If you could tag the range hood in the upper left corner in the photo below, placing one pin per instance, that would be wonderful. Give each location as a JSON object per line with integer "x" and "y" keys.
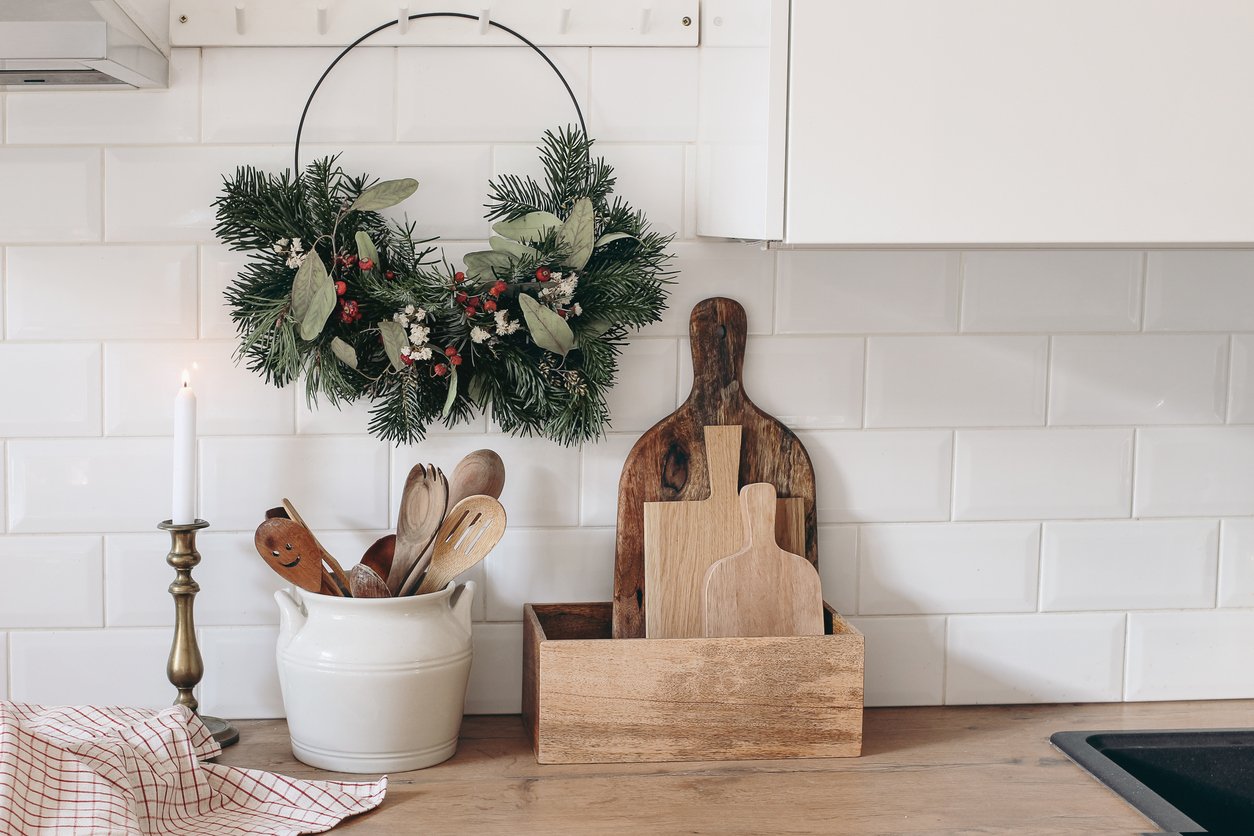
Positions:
{"x": 76, "y": 44}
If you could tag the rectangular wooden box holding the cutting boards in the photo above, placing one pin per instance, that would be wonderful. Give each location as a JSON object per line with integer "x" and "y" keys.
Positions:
{"x": 590, "y": 699}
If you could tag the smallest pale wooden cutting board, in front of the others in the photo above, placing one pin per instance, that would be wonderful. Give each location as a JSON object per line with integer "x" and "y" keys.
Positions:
{"x": 762, "y": 590}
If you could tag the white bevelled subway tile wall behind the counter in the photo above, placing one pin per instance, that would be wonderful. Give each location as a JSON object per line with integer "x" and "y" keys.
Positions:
{"x": 989, "y": 428}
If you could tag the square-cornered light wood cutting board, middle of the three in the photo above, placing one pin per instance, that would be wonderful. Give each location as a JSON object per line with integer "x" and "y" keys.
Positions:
{"x": 684, "y": 540}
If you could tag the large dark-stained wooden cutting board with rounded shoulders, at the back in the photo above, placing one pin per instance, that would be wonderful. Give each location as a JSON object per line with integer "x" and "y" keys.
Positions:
{"x": 669, "y": 462}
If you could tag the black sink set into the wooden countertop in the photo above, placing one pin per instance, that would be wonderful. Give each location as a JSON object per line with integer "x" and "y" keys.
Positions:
{"x": 1189, "y": 781}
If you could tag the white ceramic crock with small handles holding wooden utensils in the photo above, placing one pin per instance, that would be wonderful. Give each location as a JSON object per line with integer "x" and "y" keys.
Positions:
{"x": 374, "y": 685}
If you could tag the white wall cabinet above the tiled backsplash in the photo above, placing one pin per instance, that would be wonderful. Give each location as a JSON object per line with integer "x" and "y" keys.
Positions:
{"x": 979, "y": 122}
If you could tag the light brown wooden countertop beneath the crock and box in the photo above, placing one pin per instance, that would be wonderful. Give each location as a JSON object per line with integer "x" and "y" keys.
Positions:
{"x": 971, "y": 770}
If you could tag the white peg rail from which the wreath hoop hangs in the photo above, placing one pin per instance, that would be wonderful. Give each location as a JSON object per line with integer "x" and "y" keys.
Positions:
{"x": 332, "y": 23}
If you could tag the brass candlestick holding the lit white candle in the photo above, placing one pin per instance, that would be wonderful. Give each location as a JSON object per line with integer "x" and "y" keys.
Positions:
{"x": 186, "y": 667}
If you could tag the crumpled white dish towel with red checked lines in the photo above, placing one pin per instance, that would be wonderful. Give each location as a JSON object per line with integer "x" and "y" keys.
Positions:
{"x": 130, "y": 771}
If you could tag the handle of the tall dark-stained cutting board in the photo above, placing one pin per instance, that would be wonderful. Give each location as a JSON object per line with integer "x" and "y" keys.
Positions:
{"x": 718, "y": 328}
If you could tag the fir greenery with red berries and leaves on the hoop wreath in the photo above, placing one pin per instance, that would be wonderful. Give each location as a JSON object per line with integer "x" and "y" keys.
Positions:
{"x": 358, "y": 308}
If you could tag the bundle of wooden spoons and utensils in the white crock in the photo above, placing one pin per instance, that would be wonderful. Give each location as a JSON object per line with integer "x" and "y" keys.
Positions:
{"x": 432, "y": 546}
